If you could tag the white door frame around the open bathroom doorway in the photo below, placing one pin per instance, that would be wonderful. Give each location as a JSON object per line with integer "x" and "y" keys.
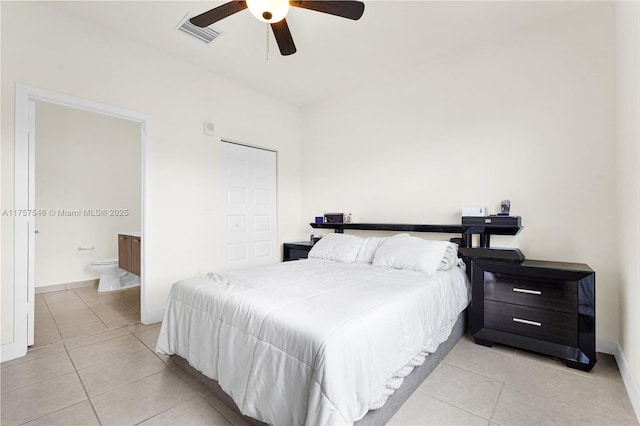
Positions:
{"x": 24, "y": 225}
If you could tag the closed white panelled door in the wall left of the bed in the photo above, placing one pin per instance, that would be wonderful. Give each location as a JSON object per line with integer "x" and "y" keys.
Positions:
{"x": 248, "y": 206}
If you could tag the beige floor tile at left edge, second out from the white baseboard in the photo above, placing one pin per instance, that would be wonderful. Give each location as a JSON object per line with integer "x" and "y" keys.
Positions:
{"x": 32, "y": 402}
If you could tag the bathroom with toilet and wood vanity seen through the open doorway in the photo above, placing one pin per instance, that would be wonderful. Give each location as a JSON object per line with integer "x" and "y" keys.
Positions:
{"x": 88, "y": 183}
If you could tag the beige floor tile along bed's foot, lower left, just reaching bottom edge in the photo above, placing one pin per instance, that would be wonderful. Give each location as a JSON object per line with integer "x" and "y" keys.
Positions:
{"x": 141, "y": 400}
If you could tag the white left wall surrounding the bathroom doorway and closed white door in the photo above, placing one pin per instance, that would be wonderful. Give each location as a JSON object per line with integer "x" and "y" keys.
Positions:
{"x": 42, "y": 47}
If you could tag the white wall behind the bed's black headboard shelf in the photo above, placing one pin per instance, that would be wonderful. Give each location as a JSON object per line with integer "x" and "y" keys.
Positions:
{"x": 528, "y": 117}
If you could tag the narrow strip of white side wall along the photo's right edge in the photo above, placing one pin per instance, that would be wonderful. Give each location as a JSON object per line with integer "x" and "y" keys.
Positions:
{"x": 628, "y": 262}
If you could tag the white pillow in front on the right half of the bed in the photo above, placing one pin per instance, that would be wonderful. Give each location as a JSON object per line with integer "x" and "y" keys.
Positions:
{"x": 415, "y": 254}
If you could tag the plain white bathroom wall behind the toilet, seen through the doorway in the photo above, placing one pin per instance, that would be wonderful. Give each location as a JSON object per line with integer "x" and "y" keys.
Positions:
{"x": 85, "y": 162}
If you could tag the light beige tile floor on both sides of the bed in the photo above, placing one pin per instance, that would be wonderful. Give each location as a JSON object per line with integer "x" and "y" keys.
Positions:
{"x": 111, "y": 375}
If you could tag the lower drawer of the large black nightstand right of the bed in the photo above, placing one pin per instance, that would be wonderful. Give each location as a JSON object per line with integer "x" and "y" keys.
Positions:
{"x": 551, "y": 326}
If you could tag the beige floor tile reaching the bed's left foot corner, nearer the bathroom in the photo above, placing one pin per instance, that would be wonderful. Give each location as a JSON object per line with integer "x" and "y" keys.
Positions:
{"x": 119, "y": 371}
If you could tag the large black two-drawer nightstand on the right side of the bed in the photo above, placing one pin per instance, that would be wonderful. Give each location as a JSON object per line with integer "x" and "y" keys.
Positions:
{"x": 540, "y": 306}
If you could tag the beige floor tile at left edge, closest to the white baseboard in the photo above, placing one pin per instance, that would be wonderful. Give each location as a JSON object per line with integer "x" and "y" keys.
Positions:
{"x": 35, "y": 371}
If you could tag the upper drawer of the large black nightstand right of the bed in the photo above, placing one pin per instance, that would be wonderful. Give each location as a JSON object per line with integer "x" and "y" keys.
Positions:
{"x": 541, "y": 293}
